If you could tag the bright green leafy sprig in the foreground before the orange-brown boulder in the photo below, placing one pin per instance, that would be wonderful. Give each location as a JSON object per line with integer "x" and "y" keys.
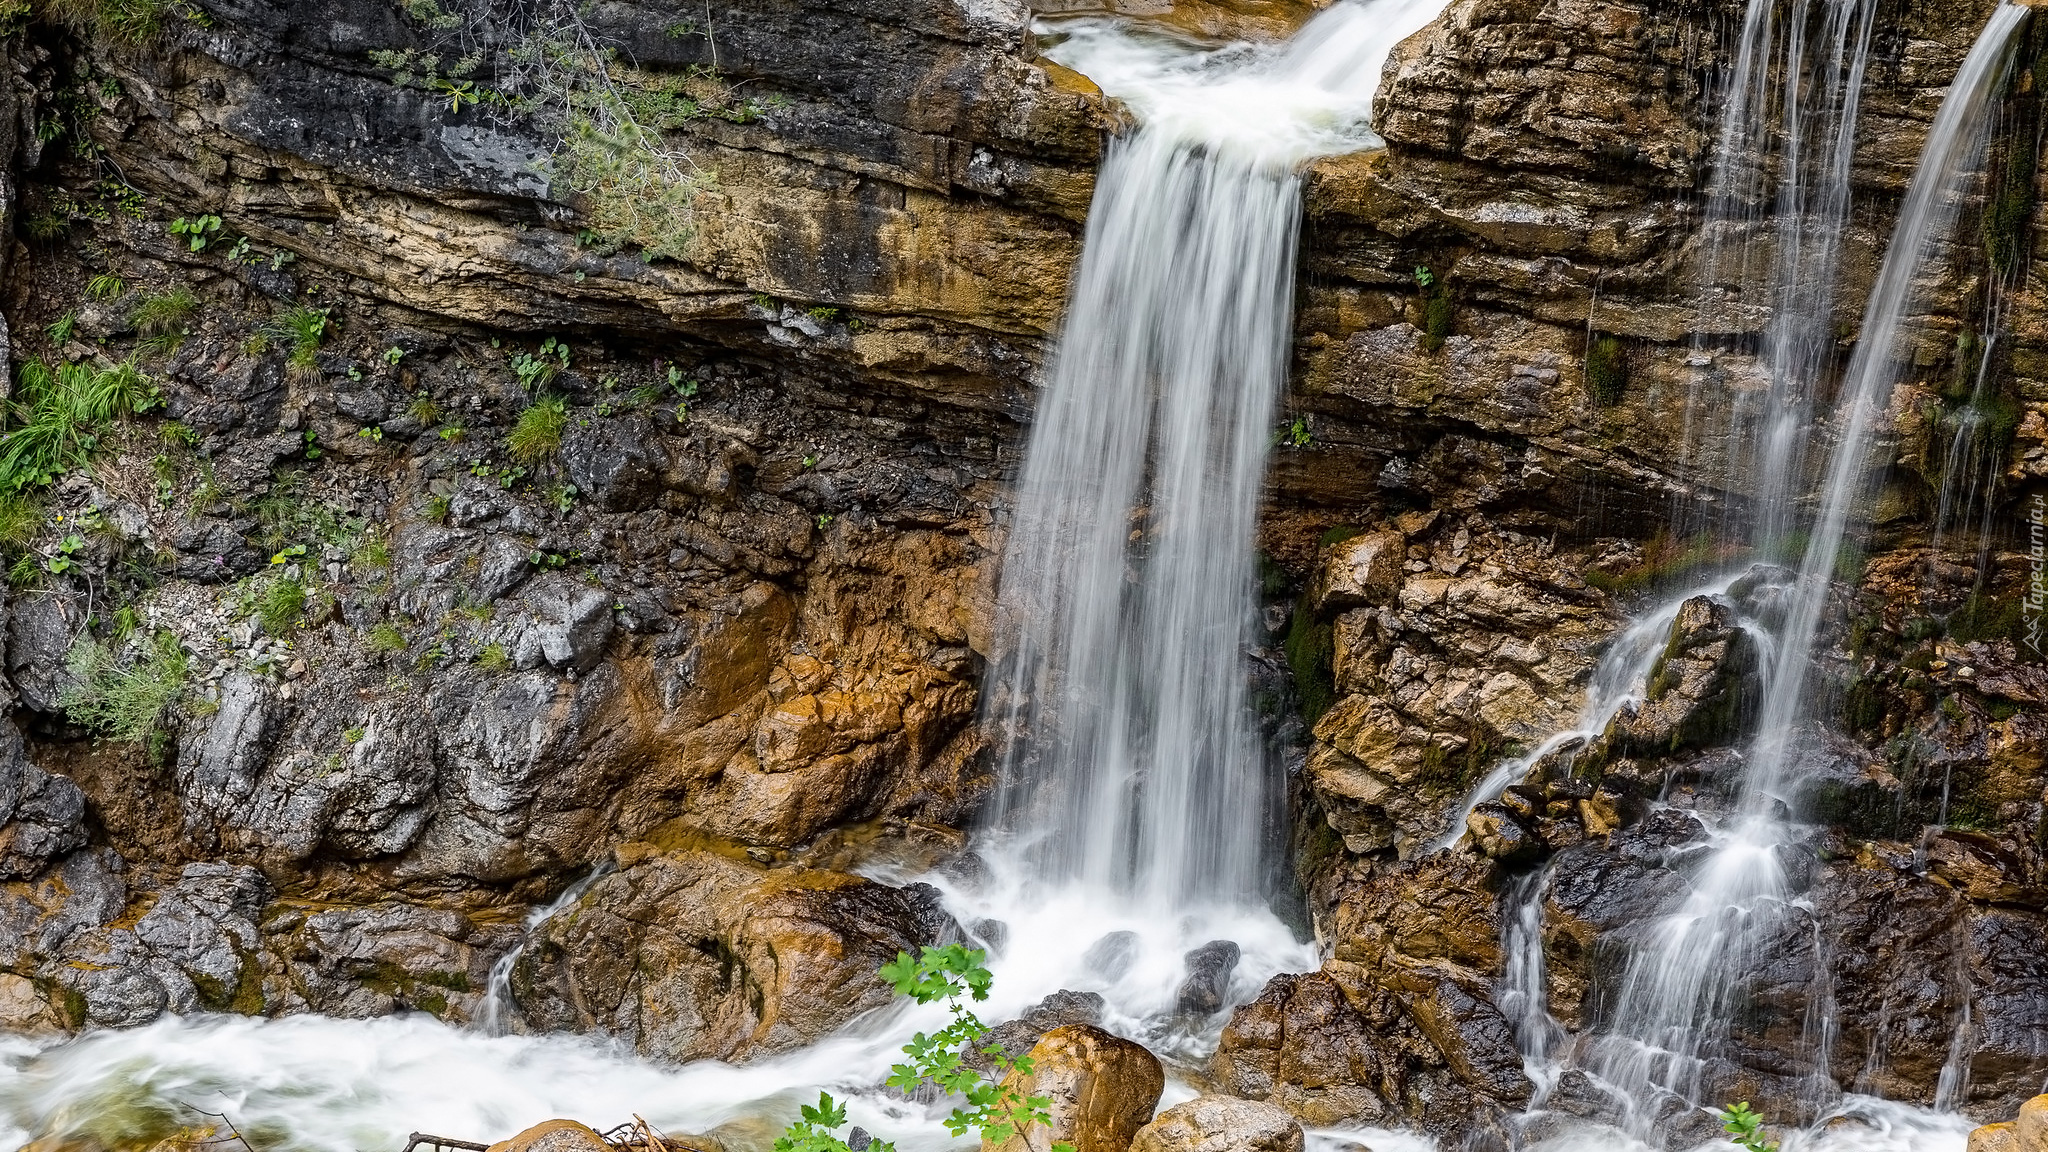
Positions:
{"x": 994, "y": 1110}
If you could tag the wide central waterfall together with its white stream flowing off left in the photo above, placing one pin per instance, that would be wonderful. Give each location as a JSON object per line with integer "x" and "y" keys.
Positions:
{"x": 1129, "y": 589}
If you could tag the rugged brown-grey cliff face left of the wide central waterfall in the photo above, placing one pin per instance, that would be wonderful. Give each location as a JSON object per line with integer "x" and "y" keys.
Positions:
{"x": 411, "y": 675}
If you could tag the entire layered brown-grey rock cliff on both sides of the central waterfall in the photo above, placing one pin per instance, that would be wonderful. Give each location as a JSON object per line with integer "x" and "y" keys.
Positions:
{"x": 435, "y": 649}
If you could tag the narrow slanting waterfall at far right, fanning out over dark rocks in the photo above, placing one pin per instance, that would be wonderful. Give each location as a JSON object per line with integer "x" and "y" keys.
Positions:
{"x": 1676, "y": 997}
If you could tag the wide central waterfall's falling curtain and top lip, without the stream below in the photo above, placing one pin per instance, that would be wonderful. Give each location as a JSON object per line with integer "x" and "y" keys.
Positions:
{"x": 1132, "y": 755}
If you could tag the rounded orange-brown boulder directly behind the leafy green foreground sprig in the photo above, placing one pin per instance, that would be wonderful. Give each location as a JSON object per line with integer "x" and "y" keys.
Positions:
{"x": 1103, "y": 1089}
